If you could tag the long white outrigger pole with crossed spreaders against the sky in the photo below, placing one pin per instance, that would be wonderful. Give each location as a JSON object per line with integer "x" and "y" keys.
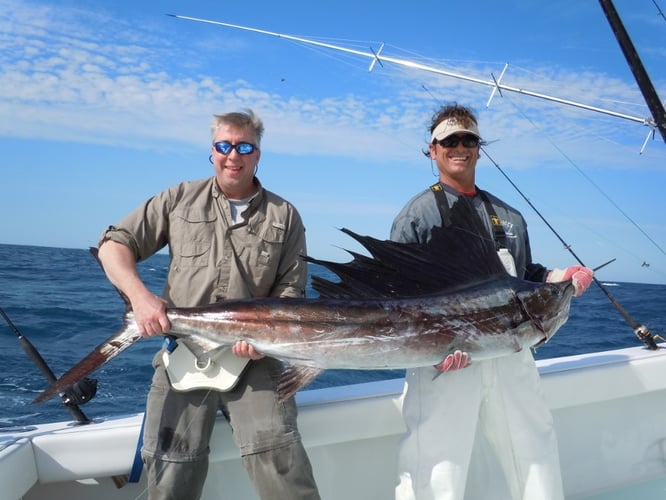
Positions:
{"x": 378, "y": 57}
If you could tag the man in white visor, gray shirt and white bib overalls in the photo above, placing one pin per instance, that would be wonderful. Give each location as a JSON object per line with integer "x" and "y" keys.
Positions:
{"x": 500, "y": 397}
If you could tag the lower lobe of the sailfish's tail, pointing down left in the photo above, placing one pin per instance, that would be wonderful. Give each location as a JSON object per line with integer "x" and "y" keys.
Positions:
{"x": 103, "y": 353}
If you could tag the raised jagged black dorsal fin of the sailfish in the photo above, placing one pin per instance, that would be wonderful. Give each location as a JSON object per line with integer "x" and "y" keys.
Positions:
{"x": 455, "y": 255}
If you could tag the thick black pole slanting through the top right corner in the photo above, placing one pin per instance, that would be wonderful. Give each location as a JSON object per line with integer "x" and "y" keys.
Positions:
{"x": 640, "y": 74}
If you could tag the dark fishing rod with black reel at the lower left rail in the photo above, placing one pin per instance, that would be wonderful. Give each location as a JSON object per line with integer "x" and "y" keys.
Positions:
{"x": 75, "y": 395}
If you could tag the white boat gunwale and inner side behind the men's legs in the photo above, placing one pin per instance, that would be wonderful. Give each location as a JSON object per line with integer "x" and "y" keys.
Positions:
{"x": 609, "y": 409}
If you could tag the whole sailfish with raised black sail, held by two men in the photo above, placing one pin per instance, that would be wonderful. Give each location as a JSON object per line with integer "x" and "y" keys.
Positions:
{"x": 403, "y": 306}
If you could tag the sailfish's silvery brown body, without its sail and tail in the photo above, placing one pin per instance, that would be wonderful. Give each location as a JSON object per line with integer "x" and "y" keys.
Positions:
{"x": 486, "y": 319}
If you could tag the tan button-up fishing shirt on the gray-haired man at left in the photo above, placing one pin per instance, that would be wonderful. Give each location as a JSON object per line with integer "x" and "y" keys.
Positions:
{"x": 212, "y": 258}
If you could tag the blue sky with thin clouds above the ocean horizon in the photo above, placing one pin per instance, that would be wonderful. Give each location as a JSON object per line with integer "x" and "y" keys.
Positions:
{"x": 103, "y": 104}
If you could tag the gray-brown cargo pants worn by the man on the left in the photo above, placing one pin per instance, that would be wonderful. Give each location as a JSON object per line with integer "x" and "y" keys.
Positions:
{"x": 179, "y": 425}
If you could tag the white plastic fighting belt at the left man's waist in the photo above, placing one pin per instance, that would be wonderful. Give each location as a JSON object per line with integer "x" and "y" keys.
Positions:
{"x": 219, "y": 369}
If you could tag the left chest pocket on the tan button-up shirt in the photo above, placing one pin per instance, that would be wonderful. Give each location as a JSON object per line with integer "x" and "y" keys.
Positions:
{"x": 191, "y": 237}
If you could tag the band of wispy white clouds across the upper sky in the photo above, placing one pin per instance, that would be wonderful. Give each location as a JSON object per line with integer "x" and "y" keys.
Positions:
{"x": 78, "y": 75}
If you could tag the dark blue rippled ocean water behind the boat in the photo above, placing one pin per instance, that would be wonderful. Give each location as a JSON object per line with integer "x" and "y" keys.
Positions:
{"x": 60, "y": 300}
